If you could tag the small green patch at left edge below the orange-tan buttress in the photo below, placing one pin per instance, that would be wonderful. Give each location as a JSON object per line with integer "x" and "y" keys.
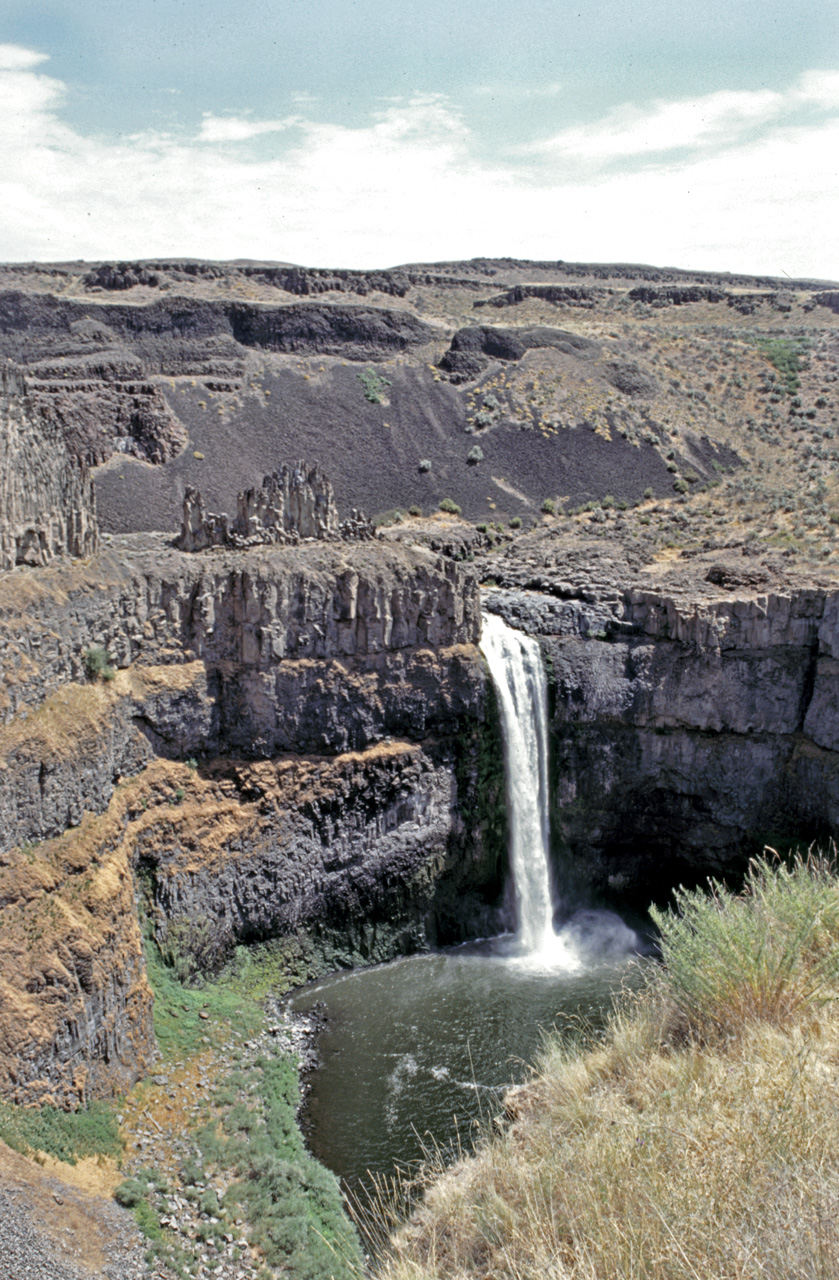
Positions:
{"x": 69, "y": 1136}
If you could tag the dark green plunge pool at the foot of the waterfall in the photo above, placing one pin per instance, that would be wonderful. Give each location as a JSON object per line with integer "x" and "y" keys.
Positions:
{"x": 416, "y": 1053}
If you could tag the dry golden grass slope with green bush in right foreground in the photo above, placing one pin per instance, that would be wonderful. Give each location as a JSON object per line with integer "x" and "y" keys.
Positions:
{"x": 697, "y": 1139}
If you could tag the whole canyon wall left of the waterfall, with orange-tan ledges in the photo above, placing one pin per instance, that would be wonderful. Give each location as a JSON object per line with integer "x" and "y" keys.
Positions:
{"x": 286, "y": 742}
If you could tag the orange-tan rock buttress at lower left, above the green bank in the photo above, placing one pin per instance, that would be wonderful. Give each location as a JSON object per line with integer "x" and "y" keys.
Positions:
{"x": 75, "y": 1003}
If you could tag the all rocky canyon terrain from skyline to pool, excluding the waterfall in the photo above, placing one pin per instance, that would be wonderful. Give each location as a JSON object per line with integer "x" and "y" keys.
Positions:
{"x": 280, "y": 725}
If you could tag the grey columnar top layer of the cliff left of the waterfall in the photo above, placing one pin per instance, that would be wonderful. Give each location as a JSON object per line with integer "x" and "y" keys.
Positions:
{"x": 240, "y": 614}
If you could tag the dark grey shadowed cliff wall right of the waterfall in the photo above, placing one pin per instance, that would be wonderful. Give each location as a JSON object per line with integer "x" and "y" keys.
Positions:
{"x": 685, "y": 733}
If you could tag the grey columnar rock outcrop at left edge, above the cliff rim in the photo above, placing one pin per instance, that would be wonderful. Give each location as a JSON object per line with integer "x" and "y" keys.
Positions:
{"x": 47, "y": 493}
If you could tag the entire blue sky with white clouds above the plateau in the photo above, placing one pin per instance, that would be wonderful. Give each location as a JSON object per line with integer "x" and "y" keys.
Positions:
{"x": 366, "y": 134}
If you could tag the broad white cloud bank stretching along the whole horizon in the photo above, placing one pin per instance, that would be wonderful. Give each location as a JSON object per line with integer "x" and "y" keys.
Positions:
{"x": 751, "y": 186}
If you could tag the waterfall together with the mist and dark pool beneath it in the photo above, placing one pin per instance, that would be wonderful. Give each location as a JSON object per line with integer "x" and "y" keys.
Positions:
{"x": 417, "y": 1054}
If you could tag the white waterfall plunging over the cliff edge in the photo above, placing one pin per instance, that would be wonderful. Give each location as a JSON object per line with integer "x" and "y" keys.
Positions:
{"x": 518, "y": 675}
